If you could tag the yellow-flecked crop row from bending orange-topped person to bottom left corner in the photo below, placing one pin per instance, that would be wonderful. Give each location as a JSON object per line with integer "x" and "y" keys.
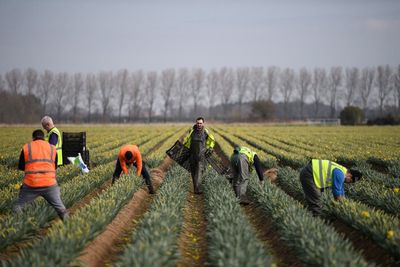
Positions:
{"x": 65, "y": 241}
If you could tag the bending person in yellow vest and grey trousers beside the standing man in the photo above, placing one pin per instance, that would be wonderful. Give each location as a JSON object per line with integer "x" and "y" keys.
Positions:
{"x": 242, "y": 162}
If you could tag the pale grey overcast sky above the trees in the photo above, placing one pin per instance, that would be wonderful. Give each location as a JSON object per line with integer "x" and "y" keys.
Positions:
{"x": 89, "y": 36}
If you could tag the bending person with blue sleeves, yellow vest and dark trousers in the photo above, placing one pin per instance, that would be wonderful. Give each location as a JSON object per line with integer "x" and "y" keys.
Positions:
{"x": 318, "y": 175}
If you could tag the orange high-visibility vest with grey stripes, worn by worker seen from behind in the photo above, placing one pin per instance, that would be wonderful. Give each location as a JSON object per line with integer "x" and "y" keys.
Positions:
{"x": 40, "y": 170}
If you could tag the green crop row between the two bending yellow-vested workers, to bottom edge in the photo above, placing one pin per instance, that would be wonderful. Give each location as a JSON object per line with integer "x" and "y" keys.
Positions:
{"x": 313, "y": 241}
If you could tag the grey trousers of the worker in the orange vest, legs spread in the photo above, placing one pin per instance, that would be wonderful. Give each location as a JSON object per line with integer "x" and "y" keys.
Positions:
{"x": 50, "y": 193}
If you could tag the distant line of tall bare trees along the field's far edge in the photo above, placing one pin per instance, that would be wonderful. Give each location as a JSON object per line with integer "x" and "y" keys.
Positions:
{"x": 226, "y": 94}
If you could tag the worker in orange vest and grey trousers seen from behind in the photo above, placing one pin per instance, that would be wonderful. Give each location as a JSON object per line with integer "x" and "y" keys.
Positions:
{"x": 38, "y": 160}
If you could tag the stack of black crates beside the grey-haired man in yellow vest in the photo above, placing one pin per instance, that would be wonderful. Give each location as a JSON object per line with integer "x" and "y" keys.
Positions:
{"x": 74, "y": 143}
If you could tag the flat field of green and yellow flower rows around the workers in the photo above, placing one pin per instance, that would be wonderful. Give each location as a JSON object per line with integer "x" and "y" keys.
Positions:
{"x": 123, "y": 225}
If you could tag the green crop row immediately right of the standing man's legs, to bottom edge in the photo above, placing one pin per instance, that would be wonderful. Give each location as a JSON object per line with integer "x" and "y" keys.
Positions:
{"x": 231, "y": 239}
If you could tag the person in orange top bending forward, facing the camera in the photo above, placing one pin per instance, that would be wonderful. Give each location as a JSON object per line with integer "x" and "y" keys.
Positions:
{"x": 130, "y": 155}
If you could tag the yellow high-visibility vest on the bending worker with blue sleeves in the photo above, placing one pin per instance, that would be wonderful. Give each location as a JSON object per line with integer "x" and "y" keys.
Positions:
{"x": 322, "y": 172}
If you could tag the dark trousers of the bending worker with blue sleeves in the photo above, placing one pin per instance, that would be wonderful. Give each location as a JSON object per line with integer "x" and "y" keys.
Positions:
{"x": 311, "y": 192}
